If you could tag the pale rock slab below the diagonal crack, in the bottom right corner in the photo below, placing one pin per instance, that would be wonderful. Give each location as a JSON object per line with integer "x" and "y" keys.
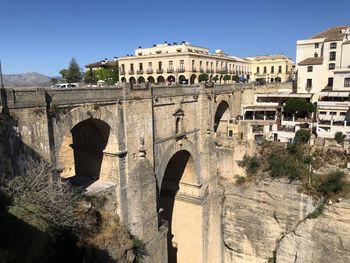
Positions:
{"x": 324, "y": 239}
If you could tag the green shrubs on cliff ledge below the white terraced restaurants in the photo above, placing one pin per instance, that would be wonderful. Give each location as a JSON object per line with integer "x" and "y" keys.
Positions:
{"x": 296, "y": 161}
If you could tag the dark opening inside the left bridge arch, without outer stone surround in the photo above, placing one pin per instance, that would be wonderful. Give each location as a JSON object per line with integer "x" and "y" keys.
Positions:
{"x": 81, "y": 152}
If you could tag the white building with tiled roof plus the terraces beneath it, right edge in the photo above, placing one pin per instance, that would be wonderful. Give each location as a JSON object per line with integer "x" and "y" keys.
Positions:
{"x": 323, "y": 65}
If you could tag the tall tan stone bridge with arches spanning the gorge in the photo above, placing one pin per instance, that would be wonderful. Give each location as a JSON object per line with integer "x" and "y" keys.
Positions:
{"x": 155, "y": 146}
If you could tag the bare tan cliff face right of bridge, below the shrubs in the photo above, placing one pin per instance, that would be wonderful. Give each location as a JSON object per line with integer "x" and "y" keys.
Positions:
{"x": 266, "y": 222}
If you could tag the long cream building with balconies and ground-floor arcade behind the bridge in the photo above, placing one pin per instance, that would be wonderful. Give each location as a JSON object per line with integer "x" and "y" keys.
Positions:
{"x": 181, "y": 63}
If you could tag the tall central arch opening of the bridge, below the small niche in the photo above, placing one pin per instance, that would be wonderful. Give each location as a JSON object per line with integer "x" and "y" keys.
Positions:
{"x": 183, "y": 216}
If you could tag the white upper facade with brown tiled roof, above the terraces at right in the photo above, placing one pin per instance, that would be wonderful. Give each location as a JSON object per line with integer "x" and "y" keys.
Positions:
{"x": 323, "y": 61}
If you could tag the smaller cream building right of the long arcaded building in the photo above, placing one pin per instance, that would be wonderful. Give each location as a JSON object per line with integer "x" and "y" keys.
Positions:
{"x": 271, "y": 68}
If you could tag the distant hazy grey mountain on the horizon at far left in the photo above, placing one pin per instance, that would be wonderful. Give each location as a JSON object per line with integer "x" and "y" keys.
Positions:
{"x": 26, "y": 79}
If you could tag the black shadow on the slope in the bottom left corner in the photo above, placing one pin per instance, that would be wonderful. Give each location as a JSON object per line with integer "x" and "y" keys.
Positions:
{"x": 23, "y": 242}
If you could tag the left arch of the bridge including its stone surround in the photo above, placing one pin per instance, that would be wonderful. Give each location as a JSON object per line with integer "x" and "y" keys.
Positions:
{"x": 82, "y": 146}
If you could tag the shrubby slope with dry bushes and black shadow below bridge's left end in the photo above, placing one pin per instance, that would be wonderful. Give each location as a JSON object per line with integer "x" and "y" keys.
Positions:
{"x": 45, "y": 219}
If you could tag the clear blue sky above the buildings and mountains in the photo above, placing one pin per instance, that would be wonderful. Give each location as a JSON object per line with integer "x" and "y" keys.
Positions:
{"x": 43, "y": 35}
